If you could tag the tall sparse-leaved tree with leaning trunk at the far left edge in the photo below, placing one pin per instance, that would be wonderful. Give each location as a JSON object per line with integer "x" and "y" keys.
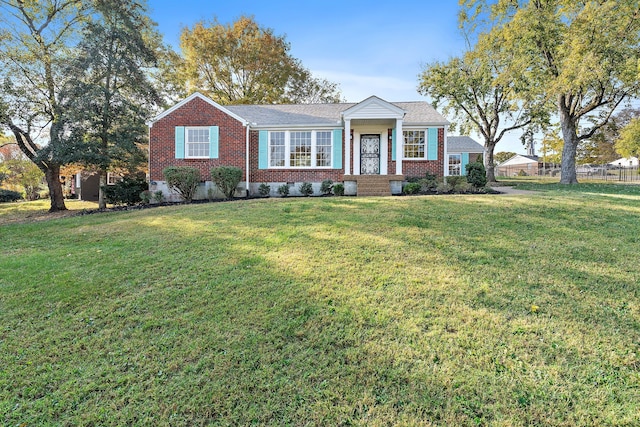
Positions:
{"x": 35, "y": 37}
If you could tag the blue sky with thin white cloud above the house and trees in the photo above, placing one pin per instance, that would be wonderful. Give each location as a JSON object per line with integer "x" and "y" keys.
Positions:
{"x": 367, "y": 48}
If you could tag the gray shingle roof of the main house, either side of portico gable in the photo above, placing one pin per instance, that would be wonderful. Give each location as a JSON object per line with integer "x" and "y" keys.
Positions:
{"x": 418, "y": 112}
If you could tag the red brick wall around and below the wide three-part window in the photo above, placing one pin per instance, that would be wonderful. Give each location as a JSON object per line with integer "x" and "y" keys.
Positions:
{"x": 288, "y": 175}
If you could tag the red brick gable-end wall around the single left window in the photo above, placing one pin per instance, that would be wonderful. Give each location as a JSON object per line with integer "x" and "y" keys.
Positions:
{"x": 196, "y": 113}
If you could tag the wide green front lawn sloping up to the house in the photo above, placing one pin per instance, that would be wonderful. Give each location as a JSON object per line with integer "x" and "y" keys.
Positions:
{"x": 430, "y": 310}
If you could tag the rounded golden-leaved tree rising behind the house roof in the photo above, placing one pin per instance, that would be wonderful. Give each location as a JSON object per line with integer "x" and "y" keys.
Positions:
{"x": 247, "y": 64}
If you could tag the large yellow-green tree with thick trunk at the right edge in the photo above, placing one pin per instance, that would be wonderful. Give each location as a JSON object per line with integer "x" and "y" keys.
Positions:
{"x": 583, "y": 56}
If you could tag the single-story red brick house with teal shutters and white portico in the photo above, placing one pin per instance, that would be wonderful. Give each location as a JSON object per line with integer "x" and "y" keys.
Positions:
{"x": 370, "y": 146}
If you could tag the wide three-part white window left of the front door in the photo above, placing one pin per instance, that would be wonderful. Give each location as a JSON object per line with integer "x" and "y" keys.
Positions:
{"x": 300, "y": 149}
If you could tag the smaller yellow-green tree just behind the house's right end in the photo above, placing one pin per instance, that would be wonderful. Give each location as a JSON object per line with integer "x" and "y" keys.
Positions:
{"x": 471, "y": 90}
